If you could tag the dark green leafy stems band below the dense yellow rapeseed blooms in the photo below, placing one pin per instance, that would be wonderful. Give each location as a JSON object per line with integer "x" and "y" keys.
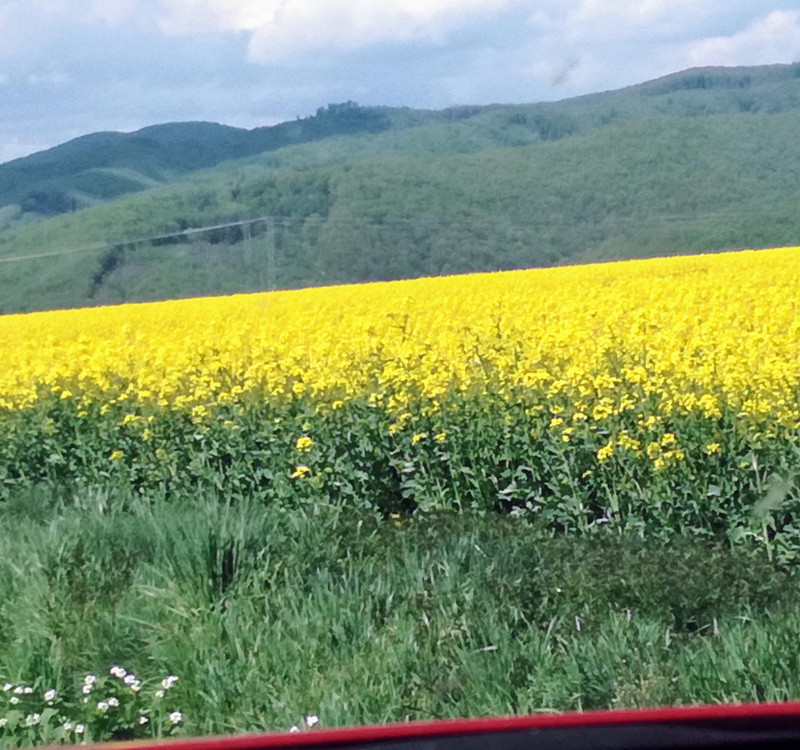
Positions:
{"x": 699, "y": 477}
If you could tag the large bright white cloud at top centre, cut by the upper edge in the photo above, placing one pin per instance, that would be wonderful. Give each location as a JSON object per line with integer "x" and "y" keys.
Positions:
{"x": 284, "y": 30}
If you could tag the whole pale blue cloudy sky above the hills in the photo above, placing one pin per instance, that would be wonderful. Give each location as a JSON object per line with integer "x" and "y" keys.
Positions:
{"x": 70, "y": 67}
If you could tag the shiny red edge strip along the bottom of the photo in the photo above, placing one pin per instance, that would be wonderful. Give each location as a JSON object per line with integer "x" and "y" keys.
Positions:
{"x": 346, "y": 735}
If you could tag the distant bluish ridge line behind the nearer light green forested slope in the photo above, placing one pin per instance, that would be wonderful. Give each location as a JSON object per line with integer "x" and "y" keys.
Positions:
{"x": 100, "y": 167}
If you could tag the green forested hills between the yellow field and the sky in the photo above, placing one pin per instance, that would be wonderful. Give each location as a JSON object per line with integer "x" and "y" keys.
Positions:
{"x": 703, "y": 160}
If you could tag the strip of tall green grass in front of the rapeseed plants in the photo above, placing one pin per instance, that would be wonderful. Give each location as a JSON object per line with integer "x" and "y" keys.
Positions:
{"x": 267, "y": 615}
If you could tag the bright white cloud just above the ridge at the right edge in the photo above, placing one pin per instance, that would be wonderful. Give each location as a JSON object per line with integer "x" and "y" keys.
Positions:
{"x": 774, "y": 38}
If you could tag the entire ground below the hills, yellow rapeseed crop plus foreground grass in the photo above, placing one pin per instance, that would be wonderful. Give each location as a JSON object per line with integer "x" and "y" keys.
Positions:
{"x": 498, "y": 493}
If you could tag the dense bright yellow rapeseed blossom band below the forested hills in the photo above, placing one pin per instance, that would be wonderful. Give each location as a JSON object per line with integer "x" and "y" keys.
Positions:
{"x": 686, "y": 333}
